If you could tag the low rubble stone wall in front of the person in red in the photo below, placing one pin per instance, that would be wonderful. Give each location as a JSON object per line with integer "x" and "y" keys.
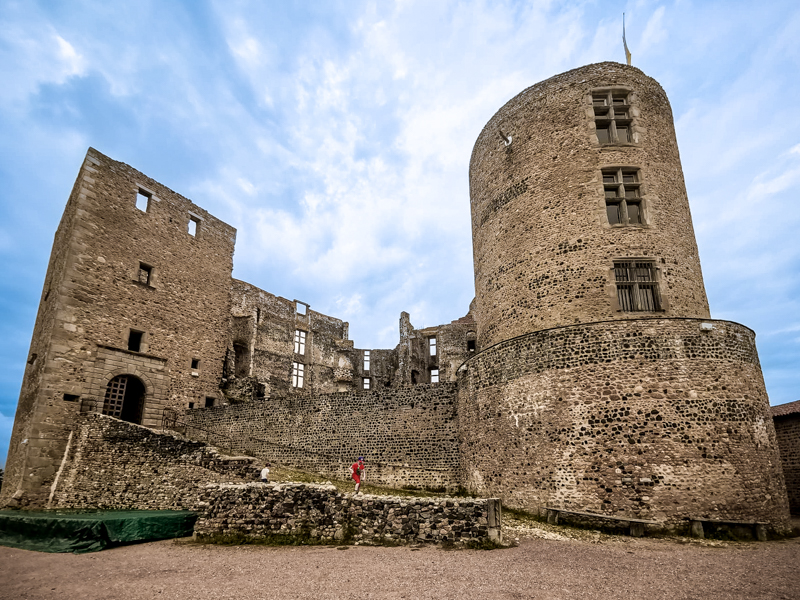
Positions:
{"x": 305, "y": 513}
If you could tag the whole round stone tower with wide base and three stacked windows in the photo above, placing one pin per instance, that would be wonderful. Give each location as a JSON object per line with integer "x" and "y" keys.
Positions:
{"x": 601, "y": 383}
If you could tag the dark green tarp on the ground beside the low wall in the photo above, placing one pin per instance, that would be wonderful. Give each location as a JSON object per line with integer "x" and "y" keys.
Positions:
{"x": 90, "y": 531}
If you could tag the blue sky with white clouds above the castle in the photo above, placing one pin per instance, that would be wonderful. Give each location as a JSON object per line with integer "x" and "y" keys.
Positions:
{"x": 336, "y": 136}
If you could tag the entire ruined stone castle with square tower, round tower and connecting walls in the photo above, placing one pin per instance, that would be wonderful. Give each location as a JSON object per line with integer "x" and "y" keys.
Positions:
{"x": 587, "y": 373}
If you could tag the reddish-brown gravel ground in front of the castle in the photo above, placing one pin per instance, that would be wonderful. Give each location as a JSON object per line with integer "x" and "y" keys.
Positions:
{"x": 549, "y": 562}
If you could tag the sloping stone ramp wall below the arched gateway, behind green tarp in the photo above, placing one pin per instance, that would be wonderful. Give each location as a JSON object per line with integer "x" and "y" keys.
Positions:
{"x": 113, "y": 464}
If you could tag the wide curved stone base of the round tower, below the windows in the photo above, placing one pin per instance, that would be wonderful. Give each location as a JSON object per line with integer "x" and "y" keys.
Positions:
{"x": 650, "y": 418}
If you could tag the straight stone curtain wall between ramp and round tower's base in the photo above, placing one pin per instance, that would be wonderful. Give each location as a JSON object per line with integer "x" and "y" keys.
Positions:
{"x": 408, "y": 435}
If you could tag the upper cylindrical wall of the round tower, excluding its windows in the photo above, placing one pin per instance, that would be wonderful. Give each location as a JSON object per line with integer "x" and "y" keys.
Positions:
{"x": 543, "y": 247}
